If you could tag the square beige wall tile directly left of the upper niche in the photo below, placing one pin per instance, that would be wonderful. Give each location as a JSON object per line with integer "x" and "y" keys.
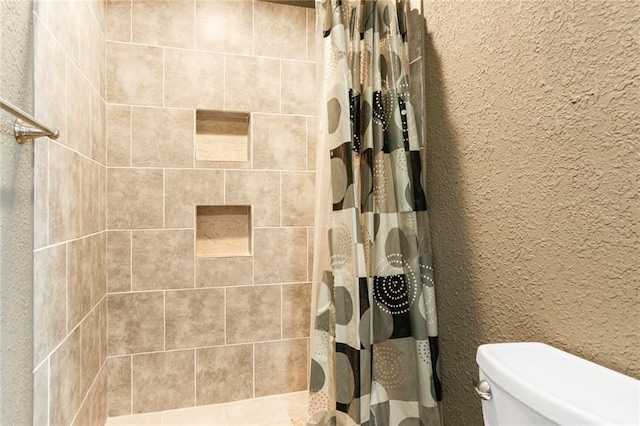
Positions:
{"x": 162, "y": 137}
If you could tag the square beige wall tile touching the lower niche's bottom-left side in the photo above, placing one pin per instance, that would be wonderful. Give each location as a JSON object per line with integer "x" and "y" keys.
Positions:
{"x": 162, "y": 260}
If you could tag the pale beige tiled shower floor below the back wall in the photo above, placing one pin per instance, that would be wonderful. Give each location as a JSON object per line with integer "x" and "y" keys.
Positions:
{"x": 278, "y": 410}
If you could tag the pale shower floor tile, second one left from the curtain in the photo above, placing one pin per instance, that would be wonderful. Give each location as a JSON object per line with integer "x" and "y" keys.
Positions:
{"x": 255, "y": 411}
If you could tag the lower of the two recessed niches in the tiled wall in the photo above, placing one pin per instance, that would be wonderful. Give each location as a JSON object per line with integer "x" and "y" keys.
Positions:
{"x": 223, "y": 231}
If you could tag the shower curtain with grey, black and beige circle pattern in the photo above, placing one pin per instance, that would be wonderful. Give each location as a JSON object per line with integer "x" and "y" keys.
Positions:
{"x": 374, "y": 346}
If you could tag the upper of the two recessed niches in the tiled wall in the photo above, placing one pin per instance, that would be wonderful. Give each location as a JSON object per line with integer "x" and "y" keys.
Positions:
{"x": 222, "y": 136}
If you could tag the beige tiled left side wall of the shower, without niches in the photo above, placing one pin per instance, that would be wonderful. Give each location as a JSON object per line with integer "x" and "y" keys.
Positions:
{"x": 70, "y": 307}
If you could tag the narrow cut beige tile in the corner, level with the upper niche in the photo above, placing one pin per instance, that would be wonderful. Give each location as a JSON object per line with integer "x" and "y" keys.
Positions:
{"x": 118, "y": 135}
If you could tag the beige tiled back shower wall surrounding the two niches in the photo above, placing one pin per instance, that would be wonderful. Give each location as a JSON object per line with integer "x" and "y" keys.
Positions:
{"x": 187, "y": 330}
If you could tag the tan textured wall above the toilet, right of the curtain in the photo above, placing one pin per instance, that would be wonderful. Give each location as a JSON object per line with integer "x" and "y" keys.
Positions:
{"x": 533, "y": 117}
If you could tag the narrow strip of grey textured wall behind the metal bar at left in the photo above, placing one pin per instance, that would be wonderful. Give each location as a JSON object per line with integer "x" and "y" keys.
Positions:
{"x": 16, "y": 182}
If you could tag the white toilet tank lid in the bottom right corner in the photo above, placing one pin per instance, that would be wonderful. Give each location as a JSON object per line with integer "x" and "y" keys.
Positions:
{"x": 562, "y": 387}
